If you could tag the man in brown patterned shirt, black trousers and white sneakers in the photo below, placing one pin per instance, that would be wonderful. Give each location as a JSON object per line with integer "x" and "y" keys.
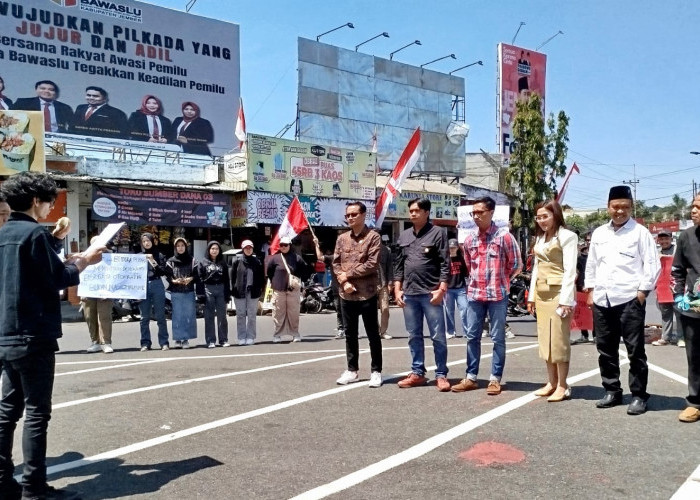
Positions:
{"x": 356, "y": 265}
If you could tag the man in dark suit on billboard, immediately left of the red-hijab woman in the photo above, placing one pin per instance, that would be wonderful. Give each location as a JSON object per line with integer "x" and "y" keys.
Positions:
{"x": 97, "y": 118}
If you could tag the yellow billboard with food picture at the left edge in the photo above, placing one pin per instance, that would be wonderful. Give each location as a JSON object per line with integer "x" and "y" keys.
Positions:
{"x": 21, "y": 142}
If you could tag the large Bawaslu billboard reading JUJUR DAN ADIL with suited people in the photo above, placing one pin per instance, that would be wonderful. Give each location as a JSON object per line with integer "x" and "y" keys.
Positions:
{"x": 128, "y": 50}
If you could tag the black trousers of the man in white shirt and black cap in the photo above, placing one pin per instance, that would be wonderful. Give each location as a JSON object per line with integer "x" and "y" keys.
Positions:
{"x": 624, "y": 321}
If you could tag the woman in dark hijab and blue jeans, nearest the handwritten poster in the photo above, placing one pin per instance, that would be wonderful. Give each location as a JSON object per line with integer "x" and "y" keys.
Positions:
{"x": 155, "y": 295}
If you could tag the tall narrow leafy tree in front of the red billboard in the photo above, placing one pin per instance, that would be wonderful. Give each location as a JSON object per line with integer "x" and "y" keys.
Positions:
{"x": 538, "y": 157}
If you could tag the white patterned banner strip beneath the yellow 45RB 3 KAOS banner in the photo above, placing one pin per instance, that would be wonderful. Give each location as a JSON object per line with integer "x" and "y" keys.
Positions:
{"x": 270, "y": 208}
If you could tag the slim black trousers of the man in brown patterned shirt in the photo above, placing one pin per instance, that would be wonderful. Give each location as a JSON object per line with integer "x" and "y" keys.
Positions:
{"x": 352, "y": 310}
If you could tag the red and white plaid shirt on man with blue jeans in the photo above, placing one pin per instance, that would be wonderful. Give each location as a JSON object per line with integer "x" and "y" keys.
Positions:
{"x": 492, "y": 257}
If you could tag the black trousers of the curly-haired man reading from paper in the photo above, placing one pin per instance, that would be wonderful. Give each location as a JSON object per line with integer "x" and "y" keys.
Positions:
{"x": 27, "y": 384}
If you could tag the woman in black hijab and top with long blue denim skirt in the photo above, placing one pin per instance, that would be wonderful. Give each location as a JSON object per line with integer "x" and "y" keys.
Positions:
{"x": 180, "y": 270}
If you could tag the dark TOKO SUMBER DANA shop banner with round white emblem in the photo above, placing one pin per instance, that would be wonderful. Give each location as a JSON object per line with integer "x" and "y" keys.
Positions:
{"x": 160, "y": 207}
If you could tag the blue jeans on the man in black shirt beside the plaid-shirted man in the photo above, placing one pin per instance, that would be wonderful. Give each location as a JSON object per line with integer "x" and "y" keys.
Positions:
{"x": 417, "y": 307}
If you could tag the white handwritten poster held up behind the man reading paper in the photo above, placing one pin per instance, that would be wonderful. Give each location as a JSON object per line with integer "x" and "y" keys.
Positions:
{"x": 117, "y": 276}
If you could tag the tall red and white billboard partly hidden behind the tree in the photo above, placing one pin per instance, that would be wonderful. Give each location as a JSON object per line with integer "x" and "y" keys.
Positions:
{"x": 520, "y": 73}
